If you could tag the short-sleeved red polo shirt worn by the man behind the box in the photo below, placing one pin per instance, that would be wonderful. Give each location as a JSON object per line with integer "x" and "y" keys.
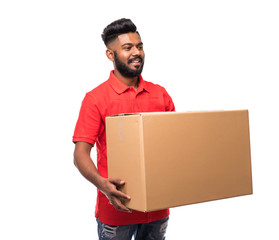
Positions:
{"x": 114, "y": 97}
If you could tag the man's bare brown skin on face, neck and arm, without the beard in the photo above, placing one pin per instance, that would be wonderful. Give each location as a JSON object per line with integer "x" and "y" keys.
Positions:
{"x": 127, "y": 46}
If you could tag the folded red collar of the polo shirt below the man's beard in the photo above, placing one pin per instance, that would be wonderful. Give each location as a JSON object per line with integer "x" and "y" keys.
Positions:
{"x": 121, "y": 87}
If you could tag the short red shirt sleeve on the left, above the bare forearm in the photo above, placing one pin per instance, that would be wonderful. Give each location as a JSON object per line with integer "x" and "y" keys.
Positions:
{"x": 89, "y": 121}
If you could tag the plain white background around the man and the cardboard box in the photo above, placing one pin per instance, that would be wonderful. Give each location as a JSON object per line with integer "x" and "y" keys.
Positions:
{"x": 209, "y": 55}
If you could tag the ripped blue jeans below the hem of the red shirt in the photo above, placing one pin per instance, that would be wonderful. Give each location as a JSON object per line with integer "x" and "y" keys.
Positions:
{"x": 146, "y": 231}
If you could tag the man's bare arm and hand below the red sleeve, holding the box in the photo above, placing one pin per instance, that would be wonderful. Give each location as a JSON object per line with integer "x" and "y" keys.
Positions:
{"x": 108, "y": 186}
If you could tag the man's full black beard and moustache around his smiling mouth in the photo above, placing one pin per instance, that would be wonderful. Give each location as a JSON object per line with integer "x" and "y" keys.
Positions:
{"x": 125, "y": 70}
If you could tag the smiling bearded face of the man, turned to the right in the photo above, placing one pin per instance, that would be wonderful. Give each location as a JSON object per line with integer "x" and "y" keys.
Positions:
{"x": 128, "y": 54}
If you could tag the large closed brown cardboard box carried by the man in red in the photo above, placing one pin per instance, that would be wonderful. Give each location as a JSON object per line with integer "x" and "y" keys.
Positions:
{"x": 170, "y": 159}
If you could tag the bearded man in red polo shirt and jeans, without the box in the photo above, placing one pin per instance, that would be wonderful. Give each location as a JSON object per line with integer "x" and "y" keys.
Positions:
{"x": 124, "y": 92}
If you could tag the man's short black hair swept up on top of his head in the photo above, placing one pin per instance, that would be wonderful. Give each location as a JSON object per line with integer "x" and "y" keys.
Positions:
{"x": 116, "y": 28}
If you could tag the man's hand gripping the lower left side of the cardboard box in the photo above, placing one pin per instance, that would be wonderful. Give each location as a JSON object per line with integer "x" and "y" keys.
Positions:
{"x": 110, "y": 188}
